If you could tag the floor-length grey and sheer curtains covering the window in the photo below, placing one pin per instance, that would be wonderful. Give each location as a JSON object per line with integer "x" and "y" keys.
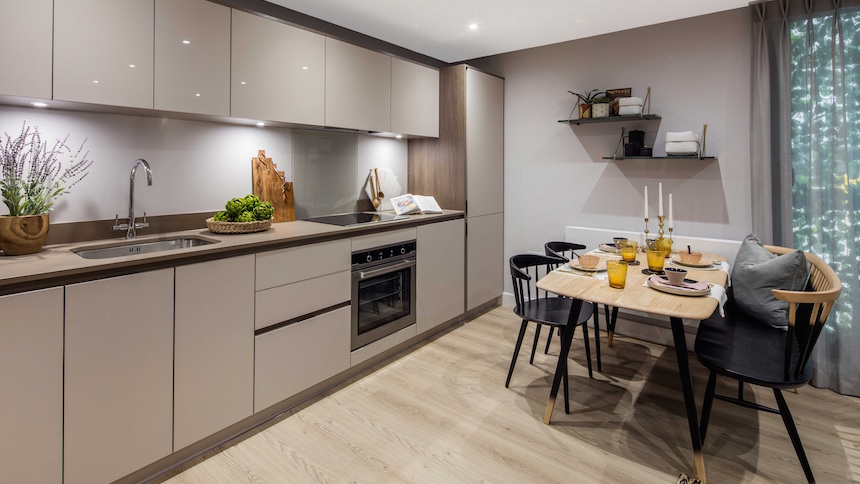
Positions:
{"x": 805, "y": 154}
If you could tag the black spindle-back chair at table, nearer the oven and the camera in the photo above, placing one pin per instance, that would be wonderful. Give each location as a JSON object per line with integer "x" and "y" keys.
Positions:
{"x": 550, "y": 310}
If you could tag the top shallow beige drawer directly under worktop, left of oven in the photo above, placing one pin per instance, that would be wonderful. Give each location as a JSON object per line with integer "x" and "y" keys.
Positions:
{"x": 286, "y": 266}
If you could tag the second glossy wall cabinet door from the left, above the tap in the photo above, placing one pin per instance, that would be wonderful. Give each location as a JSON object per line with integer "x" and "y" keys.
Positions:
{"x": 103, "y": 51}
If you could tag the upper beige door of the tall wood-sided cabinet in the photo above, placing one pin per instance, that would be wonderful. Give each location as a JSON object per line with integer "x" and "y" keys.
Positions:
{"x": 485, "y": 130}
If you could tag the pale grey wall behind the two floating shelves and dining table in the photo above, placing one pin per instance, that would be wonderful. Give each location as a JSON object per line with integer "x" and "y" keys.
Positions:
{"x": 554, "y": 176}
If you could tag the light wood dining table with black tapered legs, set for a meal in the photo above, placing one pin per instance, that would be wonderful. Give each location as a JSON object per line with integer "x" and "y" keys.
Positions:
{"x": 638, "y": 296}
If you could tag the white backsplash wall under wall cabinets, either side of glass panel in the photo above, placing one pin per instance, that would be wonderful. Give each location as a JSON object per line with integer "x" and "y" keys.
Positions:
{"x": 196, "y": 166}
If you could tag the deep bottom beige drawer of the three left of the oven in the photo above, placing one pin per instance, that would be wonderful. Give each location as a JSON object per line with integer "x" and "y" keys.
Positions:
{"x": 297, "y": 357}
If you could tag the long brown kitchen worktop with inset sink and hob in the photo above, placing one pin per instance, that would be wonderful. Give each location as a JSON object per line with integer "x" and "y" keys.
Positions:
{"x": 57, "y": 265}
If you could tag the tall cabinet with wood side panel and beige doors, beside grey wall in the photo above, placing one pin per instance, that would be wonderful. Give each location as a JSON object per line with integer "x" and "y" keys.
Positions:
{"x": 464, "y": 170}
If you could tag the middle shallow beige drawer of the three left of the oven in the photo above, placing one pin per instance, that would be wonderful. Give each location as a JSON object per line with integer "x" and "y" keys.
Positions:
{"x": 282, "y": 303}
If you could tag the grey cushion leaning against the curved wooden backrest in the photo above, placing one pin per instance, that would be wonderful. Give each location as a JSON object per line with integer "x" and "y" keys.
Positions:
{"x": 757, "y": 272}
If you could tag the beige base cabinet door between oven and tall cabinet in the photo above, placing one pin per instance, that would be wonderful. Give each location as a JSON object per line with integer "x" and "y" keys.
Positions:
{"x": 440, "y": 273}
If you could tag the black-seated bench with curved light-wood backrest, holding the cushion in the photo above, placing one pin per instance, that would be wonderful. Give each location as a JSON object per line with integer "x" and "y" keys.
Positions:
{"x": 742, "y": 347}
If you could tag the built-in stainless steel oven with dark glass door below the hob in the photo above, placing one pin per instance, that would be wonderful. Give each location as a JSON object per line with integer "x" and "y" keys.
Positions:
{"x": 383, "y": 292}
